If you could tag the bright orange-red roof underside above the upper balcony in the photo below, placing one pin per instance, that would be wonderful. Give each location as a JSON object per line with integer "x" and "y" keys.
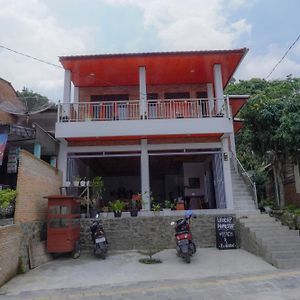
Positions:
{"x": 188, "y": 67}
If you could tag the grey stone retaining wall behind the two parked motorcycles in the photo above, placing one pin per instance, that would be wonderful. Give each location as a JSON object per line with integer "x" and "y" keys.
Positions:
{"x": 144, "y": 232}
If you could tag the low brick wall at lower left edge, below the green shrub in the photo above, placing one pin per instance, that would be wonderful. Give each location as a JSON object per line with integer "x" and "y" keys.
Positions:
{"x": 9, "y": 251}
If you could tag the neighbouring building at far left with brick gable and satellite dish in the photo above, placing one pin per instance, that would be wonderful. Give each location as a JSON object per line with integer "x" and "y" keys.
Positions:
{"x": 20, "y": 132}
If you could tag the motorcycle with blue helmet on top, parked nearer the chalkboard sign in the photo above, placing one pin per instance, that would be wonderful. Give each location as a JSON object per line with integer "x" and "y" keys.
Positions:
{"x": 185, "y": 246}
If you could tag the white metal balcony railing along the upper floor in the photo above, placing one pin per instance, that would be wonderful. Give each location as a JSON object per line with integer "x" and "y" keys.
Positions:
{"x": 131, "y": 110}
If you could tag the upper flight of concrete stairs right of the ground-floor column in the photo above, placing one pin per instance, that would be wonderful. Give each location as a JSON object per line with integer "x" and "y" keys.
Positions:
{"x": 242, "y": 198}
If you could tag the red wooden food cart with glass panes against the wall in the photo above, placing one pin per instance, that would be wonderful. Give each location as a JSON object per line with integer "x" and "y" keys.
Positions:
{"x": 63, "y": 227}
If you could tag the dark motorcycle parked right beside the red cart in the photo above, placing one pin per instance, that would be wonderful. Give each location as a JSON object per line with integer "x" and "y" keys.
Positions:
{"x": 99, "y": 238}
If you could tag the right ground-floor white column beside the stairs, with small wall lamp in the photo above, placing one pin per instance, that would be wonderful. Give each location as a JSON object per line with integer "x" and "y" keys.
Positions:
{"x": 227, "y": 172}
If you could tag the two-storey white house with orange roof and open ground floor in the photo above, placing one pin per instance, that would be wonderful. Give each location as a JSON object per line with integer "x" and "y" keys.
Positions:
{"x": 154, "y": 122}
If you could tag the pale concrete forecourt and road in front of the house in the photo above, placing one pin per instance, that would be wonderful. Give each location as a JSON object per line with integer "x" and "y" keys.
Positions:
{"x": 212, "y": 274}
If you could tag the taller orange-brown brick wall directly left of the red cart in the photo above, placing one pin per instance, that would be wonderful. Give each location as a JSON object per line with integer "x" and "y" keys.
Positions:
{"x": 36, "y": 179}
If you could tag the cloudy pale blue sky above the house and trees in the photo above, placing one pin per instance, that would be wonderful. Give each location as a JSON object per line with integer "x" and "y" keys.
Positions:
{"x": 47, "y": 29}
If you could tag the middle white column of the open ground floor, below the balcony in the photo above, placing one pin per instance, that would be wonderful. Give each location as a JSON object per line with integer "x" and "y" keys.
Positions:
{"x": 145, "y": 178}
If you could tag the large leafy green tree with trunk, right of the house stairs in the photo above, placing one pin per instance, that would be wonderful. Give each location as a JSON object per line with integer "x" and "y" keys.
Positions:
{"x": 271, "y": 132}
